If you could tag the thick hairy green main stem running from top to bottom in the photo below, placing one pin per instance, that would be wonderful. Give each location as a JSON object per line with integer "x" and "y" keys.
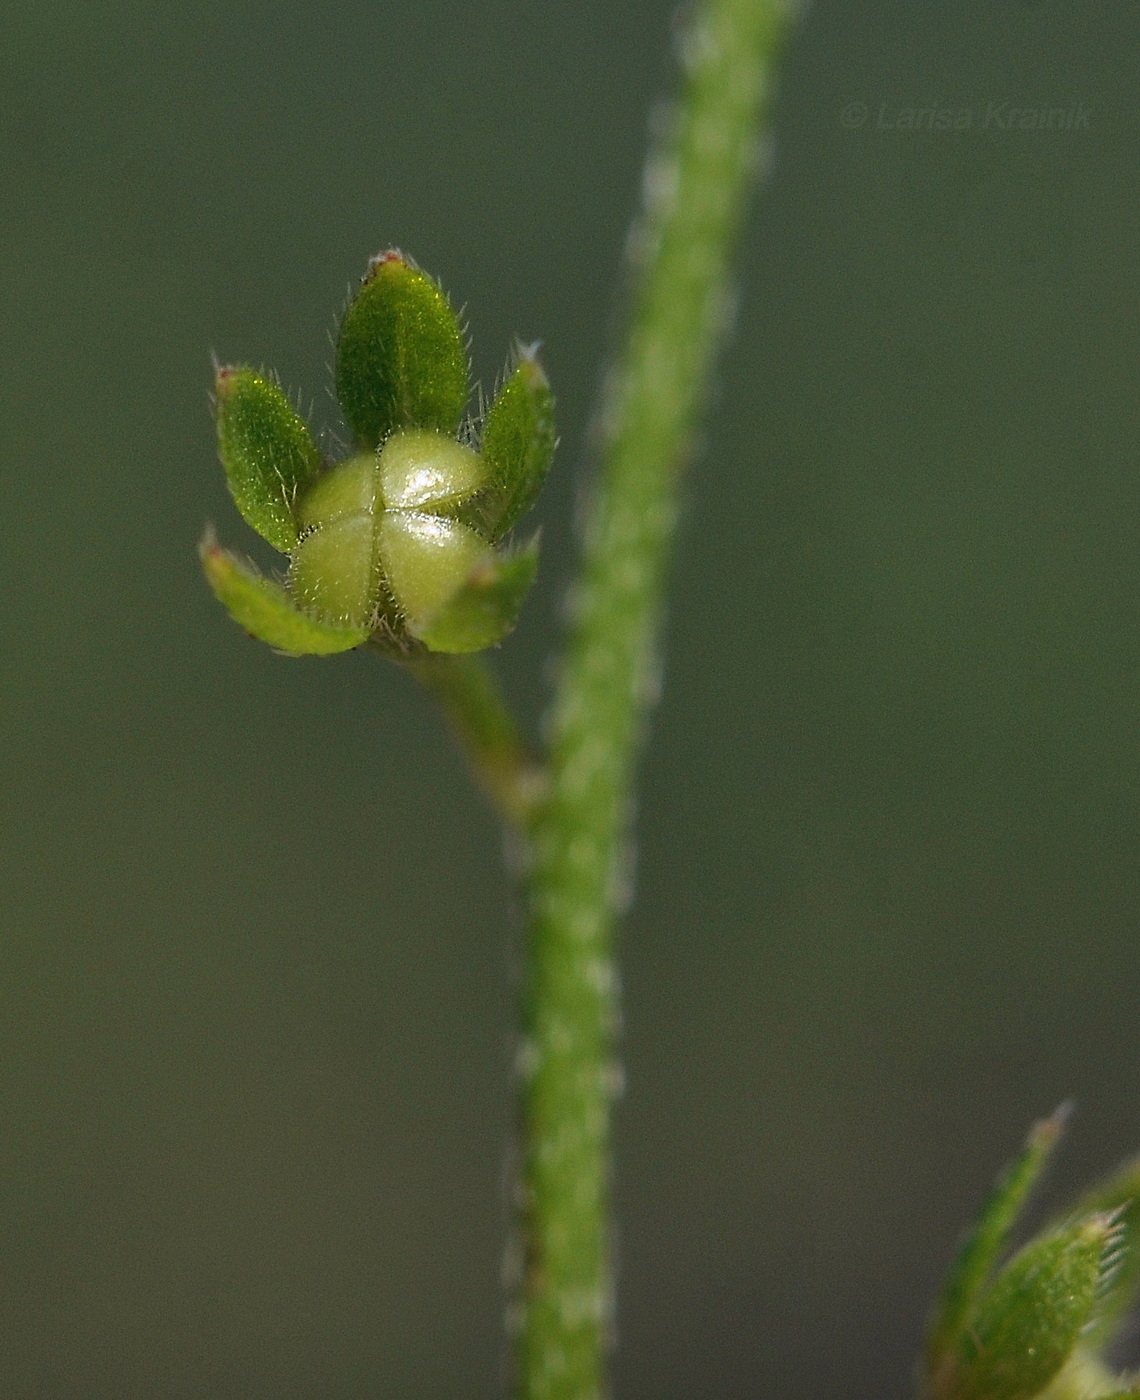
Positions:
{"x": 697, "y": 187}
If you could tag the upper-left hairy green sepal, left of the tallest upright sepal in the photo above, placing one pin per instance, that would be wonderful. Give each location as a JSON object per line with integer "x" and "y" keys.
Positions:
{"x": 267, "y": 450}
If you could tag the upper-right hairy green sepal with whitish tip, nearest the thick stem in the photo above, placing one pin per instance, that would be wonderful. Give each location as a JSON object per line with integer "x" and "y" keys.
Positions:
{"x": 519, "y": 444}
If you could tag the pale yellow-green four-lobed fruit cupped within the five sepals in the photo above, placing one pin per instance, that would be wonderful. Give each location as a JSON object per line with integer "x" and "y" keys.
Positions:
{"x": 379, "y": 541}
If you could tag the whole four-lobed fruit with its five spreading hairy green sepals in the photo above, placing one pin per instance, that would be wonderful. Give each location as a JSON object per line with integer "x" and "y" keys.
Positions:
{"x": 397, "y": 542}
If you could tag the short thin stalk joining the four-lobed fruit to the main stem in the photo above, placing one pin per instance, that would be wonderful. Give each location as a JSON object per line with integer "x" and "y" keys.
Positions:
{"x": 468, "y": 694}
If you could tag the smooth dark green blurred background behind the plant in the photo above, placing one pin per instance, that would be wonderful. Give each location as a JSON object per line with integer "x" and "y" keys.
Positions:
{"x": 258, "y": 953}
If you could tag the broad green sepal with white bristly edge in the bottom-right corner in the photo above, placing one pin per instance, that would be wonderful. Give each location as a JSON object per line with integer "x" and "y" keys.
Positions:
{"x": 1031, "y": 1318}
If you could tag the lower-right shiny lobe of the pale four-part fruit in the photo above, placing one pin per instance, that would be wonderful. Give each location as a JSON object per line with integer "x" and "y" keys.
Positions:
{"x": 426, "y": 561}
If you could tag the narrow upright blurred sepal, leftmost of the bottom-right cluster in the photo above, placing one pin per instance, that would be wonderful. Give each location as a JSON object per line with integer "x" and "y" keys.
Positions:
{"x": 982, "y": 1245}
